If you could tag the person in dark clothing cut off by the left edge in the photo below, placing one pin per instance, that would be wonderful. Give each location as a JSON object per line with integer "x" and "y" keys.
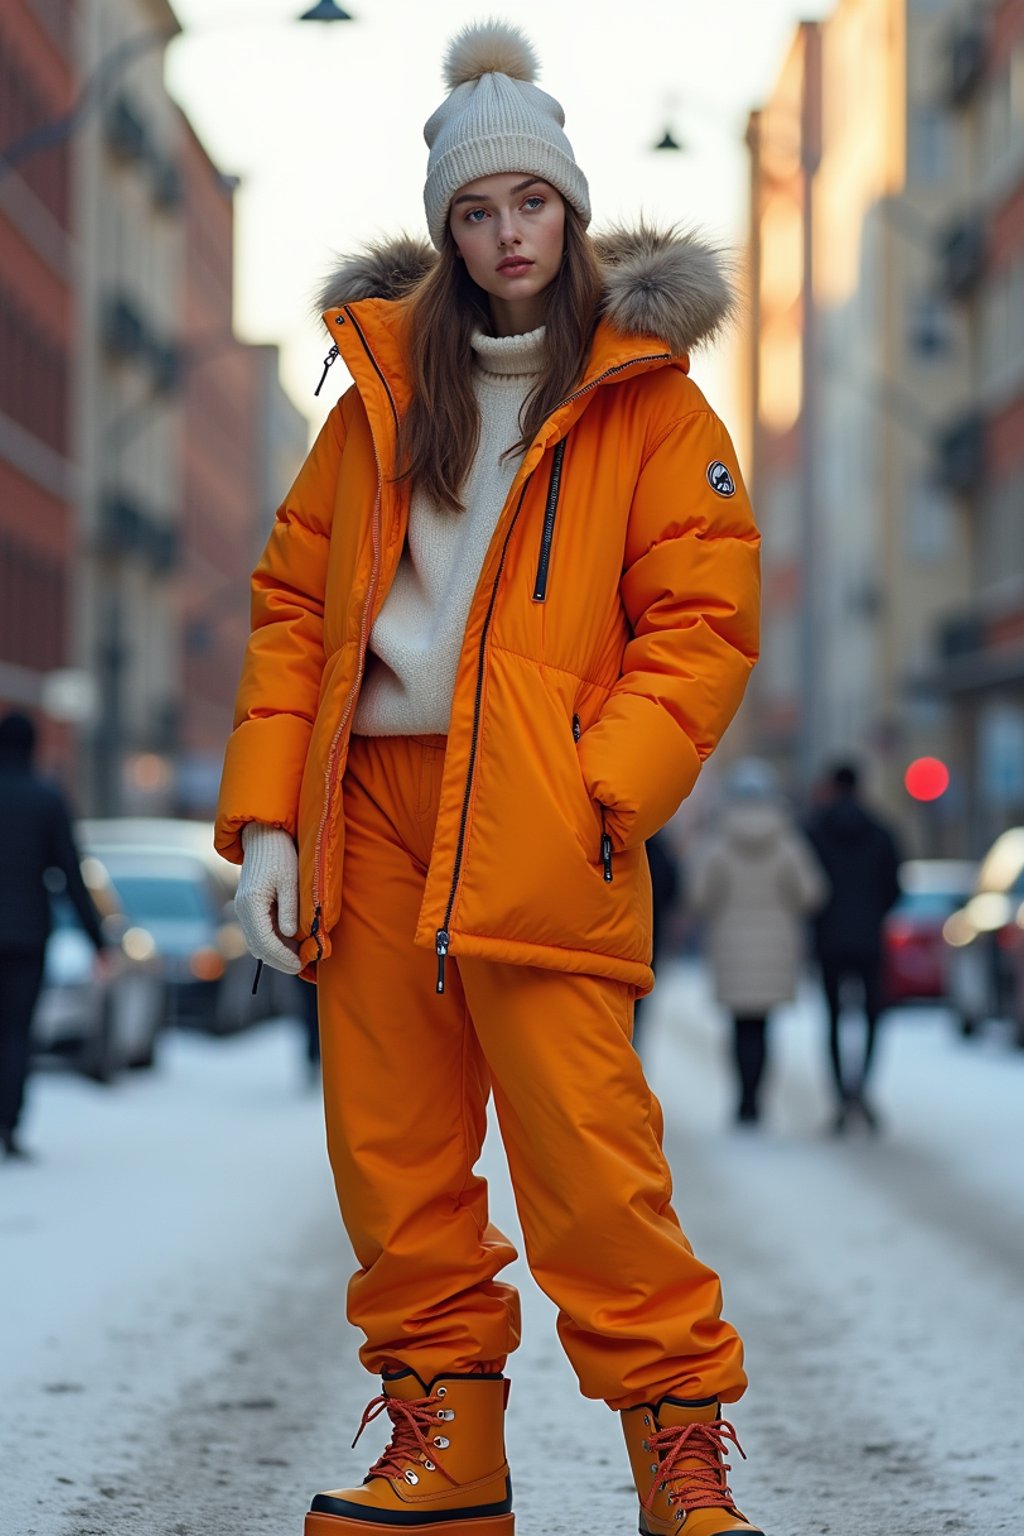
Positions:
{"x": 35, "y": 836}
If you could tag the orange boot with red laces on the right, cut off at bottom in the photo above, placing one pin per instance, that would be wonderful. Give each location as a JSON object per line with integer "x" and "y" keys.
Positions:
{"x": 678, "y": 1458}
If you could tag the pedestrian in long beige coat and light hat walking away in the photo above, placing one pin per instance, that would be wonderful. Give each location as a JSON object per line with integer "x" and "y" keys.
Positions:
{"x": 755, "y": 884}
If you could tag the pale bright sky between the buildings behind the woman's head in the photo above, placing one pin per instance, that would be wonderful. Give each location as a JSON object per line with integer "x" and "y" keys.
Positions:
{"x": 325, "y": 125}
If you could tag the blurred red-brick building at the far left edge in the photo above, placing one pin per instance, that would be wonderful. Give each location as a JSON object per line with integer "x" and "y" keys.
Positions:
{"x": 38, "y": 343}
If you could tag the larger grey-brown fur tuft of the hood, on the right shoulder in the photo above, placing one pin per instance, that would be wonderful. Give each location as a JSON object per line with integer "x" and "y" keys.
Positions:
{"x": 666, "y": 283}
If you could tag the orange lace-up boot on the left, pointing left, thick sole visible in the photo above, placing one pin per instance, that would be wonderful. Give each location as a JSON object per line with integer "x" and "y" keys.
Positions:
{"x": 444, "y": 1469}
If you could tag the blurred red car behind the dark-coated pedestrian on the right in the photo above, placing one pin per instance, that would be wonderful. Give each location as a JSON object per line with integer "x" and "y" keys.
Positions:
{"x": 914, "y": 953}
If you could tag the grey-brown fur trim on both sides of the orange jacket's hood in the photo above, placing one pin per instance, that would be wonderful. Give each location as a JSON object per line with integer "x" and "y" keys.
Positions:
{"x": 658, "y": 283}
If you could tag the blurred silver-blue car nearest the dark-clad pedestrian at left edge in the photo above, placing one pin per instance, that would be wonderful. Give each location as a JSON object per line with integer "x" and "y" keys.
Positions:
{"x": 102, "y": 1015}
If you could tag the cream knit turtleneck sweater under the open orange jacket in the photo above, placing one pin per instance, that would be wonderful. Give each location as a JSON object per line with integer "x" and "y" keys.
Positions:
{"x": 418, "y": 634}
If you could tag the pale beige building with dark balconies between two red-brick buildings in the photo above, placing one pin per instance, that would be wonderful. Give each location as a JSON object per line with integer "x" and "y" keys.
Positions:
{"x": 131, "y": 296}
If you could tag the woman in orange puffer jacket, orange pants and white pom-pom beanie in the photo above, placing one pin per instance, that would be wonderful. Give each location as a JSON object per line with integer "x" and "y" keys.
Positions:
{"x": 504, "y": 615}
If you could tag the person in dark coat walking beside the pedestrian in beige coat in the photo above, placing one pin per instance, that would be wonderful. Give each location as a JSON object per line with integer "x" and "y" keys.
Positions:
{"x": 862, "y": 861}
